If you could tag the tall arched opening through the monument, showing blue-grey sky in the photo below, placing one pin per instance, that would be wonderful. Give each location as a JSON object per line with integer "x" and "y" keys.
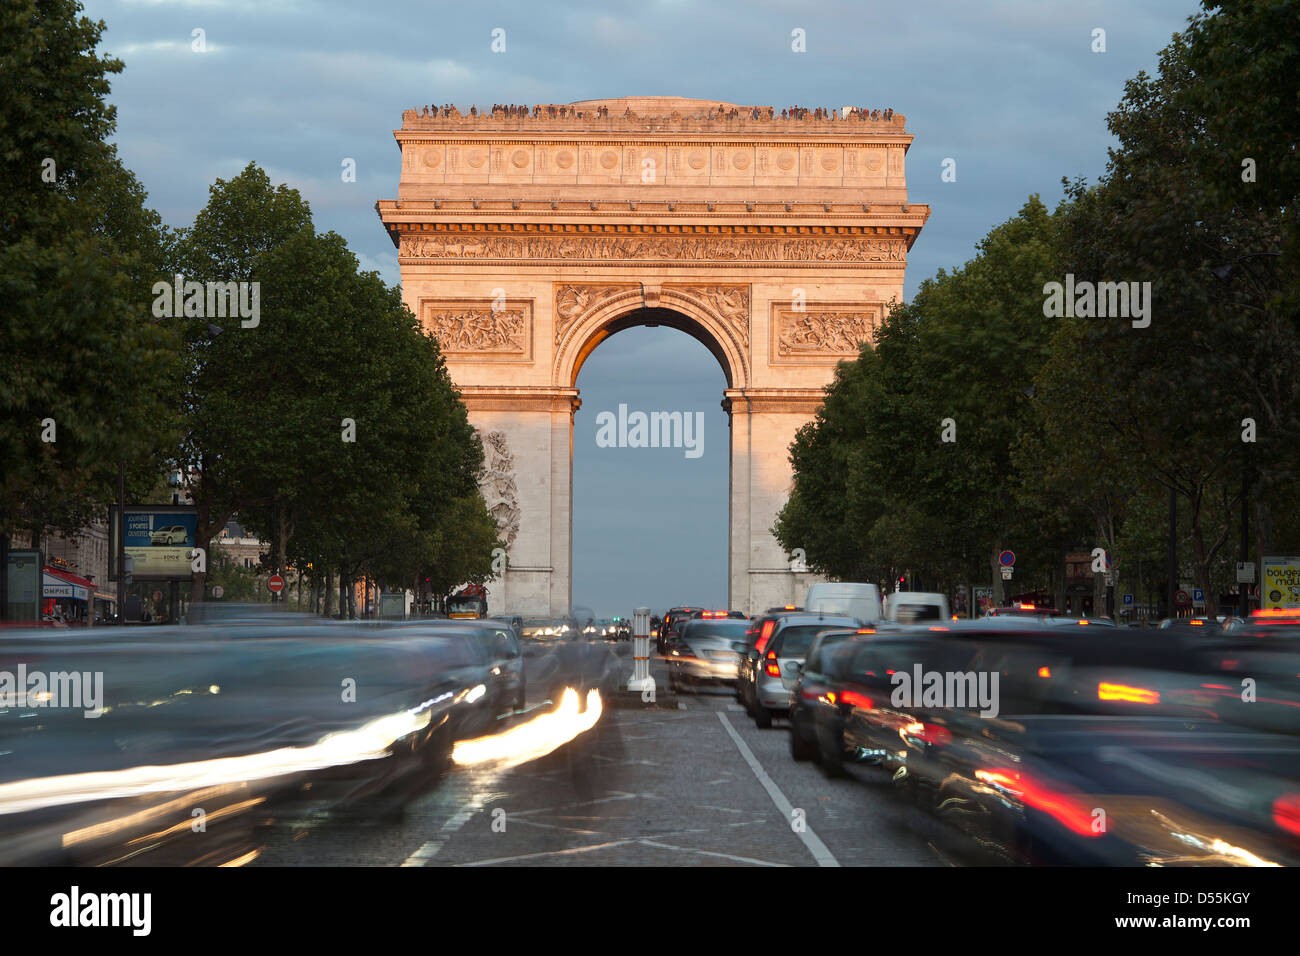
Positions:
{"x": 651, "y": 524}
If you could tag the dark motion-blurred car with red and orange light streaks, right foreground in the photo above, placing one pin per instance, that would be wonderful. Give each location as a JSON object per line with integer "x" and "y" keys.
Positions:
{"x": 1097, "y": 752}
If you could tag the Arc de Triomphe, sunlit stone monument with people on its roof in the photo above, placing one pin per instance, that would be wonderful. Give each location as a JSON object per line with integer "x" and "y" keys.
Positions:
{"x": 527, "y": 237}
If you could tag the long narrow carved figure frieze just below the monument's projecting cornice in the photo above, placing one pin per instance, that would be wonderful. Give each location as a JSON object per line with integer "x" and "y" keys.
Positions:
{"x": 726, "y": 249}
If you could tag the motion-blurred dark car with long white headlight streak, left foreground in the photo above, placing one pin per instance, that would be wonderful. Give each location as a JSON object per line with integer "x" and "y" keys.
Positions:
{"x": 248, "y": 724}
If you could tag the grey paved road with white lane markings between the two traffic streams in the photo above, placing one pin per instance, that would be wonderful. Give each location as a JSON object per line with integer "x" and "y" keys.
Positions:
{"x": 690, "y": 781}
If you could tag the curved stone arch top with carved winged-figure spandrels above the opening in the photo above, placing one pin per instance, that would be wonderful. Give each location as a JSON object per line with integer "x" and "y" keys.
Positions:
{"x": 691, "y": 310}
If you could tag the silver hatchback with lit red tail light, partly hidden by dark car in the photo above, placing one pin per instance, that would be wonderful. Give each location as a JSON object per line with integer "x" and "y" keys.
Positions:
{"x": 770, "y": 669}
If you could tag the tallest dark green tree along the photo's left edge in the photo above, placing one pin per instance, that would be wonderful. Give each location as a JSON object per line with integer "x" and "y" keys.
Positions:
{"x": 77, "y": 246}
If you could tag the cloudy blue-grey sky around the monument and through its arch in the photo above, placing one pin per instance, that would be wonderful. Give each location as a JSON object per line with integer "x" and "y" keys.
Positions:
{"x": 1012, "y": 90}
